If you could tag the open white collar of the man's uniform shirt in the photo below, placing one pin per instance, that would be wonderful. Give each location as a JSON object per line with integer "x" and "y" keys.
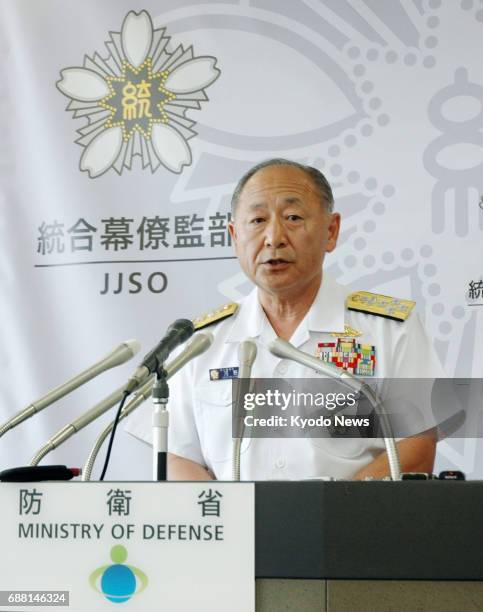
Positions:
{"x": 325, "y": 315}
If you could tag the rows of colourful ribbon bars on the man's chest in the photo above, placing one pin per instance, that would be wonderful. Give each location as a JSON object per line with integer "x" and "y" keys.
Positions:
{"x": 350, "y": 355}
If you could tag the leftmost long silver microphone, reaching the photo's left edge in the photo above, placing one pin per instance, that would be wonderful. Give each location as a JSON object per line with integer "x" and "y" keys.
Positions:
{"x": 116, "y": 357}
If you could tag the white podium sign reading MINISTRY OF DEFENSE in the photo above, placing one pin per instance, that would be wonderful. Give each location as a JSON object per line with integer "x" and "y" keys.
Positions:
{"x": 133, "y": 546}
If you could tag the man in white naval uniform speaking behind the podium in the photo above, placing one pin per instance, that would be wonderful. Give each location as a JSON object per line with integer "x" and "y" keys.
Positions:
{"x": 282, "y": 227}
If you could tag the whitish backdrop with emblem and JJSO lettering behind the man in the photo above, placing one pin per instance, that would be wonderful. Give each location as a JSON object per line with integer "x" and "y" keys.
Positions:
{"x": 386, "y": 97}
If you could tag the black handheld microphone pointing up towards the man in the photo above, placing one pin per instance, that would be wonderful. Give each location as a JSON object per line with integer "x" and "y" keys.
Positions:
{"x": 177, "y": 333}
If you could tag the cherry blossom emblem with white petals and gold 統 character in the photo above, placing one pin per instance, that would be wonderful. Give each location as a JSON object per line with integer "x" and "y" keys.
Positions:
{"x": 135, "y": 100}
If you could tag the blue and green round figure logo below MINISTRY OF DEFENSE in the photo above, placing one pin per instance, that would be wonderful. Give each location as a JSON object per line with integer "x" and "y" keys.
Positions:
{"x": 118, "y": 582}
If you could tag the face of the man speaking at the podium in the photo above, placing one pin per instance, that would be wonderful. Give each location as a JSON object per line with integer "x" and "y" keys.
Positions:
{"x": 281, "y": 230}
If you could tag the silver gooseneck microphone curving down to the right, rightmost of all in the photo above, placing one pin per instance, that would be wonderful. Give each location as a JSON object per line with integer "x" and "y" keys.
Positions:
{"x": 283, "y": 349}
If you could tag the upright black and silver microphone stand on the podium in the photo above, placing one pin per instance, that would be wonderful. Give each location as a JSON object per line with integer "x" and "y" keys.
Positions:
{"x": 160, "y": 424}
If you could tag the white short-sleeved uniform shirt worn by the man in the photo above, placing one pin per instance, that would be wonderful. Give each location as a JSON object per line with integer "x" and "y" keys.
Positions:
{"x": 201, "y": 409}
